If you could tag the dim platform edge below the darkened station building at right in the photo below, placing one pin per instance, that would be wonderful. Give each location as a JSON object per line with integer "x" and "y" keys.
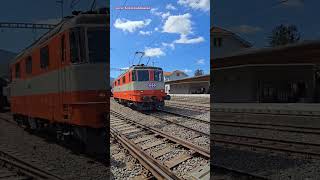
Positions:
{"x": 305, "y": 109}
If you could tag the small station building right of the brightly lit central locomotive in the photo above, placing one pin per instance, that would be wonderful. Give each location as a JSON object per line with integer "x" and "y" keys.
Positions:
{"x": 189, "y": 85}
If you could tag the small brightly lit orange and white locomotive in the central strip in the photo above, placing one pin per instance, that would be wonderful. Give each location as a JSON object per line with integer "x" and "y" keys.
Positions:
{"x": 141, "y": 87}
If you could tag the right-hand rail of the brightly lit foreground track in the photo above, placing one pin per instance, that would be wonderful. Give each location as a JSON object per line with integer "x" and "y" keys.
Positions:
{"x": 202, "y": 151}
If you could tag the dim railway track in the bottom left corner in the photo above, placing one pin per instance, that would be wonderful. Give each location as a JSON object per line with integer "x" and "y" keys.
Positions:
{"x": 16, "y": 169}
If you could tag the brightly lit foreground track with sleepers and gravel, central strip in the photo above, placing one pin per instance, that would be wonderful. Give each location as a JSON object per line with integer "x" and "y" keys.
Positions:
{"x": 165, "y": 156}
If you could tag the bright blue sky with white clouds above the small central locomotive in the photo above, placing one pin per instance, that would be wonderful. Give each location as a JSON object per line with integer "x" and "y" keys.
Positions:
{"x": 174, "y": 34}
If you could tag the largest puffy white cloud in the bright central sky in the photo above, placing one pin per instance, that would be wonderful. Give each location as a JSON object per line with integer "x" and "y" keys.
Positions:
{"x": 180, "y": 24}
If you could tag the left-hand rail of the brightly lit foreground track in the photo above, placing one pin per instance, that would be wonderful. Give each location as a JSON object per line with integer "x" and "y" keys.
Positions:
{"x": 156, "y": 169}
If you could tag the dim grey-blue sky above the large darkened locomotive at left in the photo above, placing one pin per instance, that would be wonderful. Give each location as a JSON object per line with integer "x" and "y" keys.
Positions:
{"x": 34, "y": 11}
